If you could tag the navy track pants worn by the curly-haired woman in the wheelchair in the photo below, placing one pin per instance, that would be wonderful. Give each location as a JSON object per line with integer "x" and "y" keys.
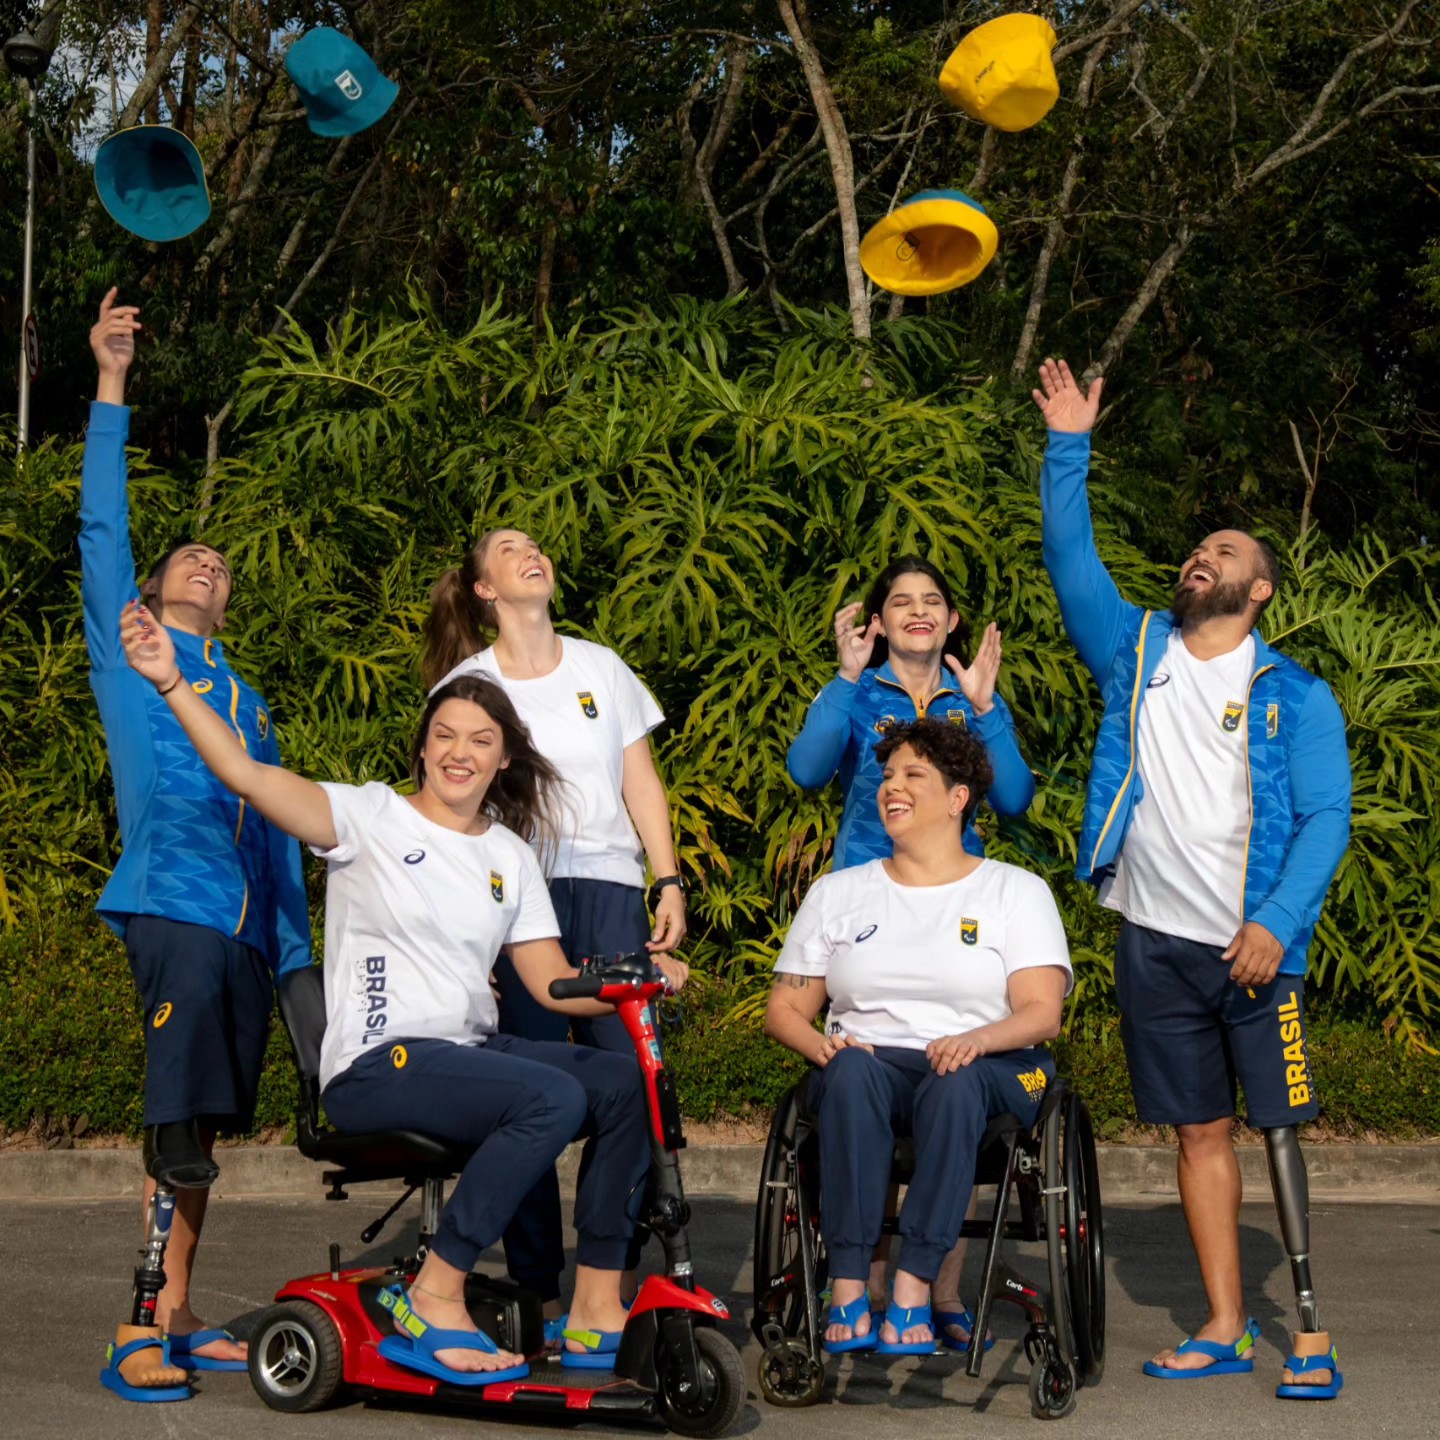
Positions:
{"x": 866, "y": 1102}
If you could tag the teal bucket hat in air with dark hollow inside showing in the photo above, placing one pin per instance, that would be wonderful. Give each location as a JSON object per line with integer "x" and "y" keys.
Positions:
{"x": 152, "y": 182}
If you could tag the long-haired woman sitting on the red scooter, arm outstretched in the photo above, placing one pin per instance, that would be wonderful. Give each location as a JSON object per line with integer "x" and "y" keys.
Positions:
{"x": 423, "y": 895}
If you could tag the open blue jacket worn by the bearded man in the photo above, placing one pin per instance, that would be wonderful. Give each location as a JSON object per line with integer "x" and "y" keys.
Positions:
{"x": 1298, "y": 758}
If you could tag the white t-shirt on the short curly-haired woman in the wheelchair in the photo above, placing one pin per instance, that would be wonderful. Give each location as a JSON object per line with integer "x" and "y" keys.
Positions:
{"x": 905, "y": 966}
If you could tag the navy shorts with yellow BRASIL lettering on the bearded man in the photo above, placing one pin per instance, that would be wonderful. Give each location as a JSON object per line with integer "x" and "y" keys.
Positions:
{"x": 1192, "y": 1033}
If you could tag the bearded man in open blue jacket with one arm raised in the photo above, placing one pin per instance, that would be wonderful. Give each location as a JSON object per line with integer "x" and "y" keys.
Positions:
{"x": 1218, "y": 813}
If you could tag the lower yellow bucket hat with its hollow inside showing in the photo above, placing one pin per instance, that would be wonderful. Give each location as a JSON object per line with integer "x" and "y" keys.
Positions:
{"x": 937, "y": 241}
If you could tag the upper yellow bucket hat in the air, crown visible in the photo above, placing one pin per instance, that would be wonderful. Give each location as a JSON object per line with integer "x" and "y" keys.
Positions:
{"x": 1002, "y": 73}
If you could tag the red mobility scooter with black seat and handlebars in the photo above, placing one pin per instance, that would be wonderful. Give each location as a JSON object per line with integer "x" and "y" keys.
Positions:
{"x": 322, "y": 1337}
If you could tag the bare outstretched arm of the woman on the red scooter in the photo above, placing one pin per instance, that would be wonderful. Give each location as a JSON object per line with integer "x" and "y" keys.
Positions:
{"x": 299, "y": 807}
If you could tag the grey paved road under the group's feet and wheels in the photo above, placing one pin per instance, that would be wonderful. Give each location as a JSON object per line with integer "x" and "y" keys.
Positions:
{"x": 1379, "y": 1272}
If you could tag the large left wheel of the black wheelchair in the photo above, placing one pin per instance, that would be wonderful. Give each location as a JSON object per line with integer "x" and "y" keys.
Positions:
{"x": 780, "y": 1277}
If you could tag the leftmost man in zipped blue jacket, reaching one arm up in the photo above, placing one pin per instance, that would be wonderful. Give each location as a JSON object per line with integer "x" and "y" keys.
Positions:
{"x": 208, "y": 898}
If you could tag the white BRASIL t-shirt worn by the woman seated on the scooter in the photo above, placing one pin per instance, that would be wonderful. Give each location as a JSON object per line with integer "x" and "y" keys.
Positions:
{"x": 415, "y": 917}
